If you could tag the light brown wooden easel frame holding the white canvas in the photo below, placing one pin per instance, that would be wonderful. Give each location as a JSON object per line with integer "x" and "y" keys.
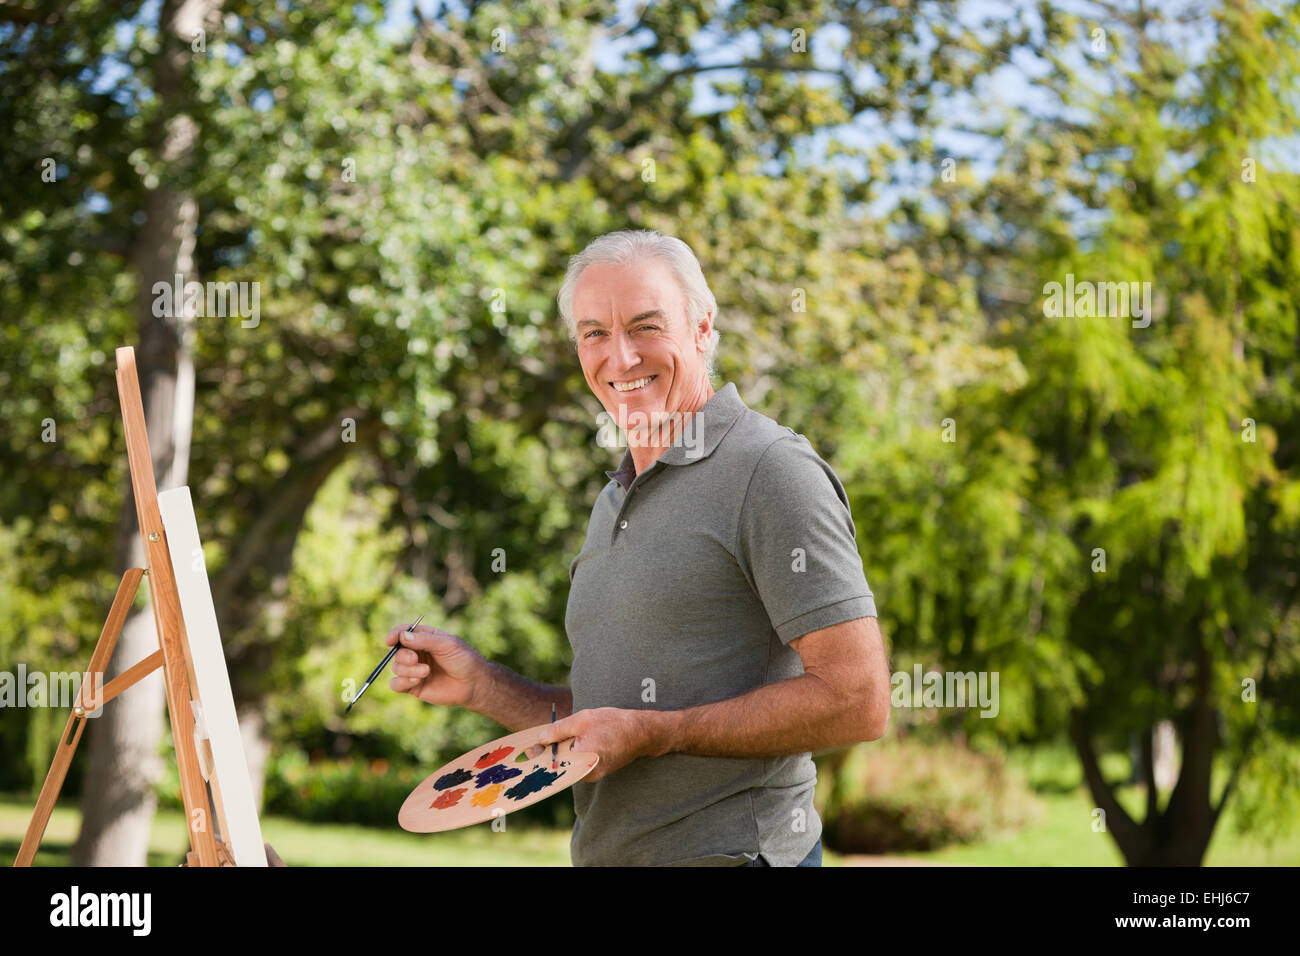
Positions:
{"x": 174, "y": 654}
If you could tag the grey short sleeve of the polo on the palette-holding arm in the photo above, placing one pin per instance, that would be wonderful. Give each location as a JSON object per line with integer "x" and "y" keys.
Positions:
{"x": 796, "y": 544}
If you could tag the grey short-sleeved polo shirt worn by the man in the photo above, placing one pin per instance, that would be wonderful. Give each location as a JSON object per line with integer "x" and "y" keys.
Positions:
{"x": 694, "y": 579}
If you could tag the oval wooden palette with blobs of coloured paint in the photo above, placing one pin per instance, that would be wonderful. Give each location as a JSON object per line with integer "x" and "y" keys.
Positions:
{"x": 492, "y": 780}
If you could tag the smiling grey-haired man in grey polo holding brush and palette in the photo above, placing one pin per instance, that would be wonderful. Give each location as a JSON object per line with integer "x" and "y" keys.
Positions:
{"x": 721, "y": 622}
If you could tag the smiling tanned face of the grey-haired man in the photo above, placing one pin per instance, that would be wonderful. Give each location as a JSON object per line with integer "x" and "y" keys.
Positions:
{"x": 631, "y": 327}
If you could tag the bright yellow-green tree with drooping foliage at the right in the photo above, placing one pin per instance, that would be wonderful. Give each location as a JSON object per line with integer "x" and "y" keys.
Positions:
{"x": 1121, "y": 527}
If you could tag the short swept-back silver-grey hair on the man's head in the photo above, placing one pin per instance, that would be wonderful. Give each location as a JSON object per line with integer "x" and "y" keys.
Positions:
{"x": 636, "y": 245}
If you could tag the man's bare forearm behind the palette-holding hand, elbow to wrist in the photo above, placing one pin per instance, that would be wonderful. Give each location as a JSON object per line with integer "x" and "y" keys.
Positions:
{"x": 798, "y": 716}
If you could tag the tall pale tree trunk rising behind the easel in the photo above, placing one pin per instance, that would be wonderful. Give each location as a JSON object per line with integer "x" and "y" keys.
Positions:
{"x": 118, "y": 801}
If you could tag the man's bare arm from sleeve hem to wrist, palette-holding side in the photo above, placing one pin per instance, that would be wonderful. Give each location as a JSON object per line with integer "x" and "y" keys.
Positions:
{"x": 842, "y": 698}
